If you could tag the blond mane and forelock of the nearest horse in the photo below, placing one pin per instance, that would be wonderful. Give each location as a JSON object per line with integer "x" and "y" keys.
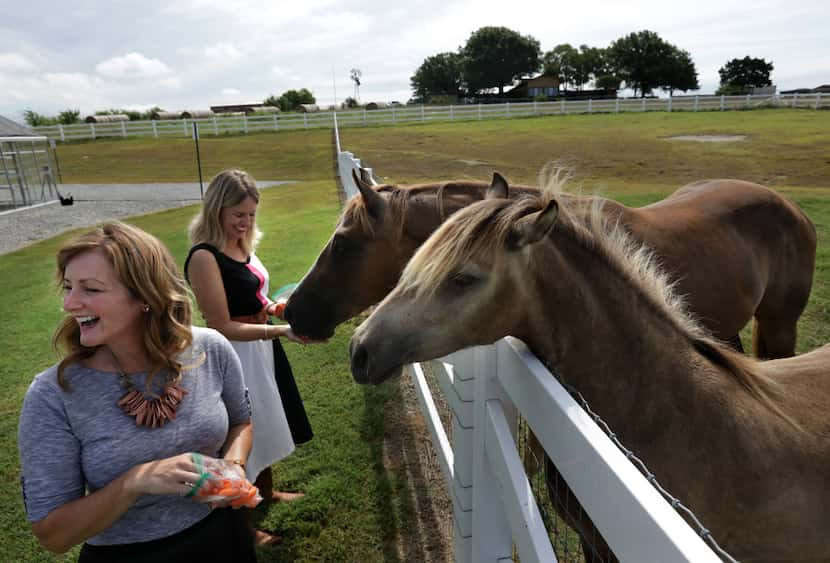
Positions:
{"x": 483, "y": 229}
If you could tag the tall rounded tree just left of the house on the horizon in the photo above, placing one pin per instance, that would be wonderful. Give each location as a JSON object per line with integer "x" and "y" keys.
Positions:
{"x": 497, "y": 56}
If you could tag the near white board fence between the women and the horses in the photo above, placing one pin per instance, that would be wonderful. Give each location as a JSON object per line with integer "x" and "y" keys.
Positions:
{"x": 487, "y": 388}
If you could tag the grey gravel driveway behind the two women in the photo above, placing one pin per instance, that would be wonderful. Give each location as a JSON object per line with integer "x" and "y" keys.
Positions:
{"x": 94, "y": 203}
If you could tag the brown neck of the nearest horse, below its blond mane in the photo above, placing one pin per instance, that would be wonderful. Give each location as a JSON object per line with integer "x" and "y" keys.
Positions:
{"x": 605, "y": 337}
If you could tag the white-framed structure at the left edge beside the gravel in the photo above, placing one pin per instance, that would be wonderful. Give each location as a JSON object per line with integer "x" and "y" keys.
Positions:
{"x": 26, "y": 176}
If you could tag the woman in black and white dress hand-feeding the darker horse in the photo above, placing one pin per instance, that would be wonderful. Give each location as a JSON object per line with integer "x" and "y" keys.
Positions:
{"x": 231, "y": 287}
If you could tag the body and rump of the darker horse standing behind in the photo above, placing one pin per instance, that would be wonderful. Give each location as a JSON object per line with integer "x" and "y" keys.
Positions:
{"x": 736, "y": 248}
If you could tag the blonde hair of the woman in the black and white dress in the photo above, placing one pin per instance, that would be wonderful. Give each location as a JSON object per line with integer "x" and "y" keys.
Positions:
{"x": 226, "y": 189}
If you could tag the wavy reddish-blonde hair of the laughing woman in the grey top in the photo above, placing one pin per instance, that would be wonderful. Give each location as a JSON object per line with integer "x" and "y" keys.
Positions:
{"x": 146, "y": 267}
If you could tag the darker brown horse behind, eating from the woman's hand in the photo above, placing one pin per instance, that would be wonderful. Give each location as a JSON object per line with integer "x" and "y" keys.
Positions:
{"x": 736, "y": 249}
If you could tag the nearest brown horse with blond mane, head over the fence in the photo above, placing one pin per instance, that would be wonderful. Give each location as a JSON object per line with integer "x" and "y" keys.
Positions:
{"x": 743, "y": 443}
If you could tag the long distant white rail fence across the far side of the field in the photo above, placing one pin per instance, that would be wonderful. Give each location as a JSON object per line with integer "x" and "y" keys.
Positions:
{"x": 219, "y": 125}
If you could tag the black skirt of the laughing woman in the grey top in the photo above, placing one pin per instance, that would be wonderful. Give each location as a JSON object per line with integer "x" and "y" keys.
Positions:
{"x": 222, "y": 537}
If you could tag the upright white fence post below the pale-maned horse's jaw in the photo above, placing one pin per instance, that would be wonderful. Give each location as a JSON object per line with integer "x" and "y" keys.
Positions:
{"x": 492, "y": 538}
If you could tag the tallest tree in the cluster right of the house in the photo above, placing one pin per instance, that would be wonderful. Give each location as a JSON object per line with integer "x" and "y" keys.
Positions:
{"x": 640, "y": 59}
